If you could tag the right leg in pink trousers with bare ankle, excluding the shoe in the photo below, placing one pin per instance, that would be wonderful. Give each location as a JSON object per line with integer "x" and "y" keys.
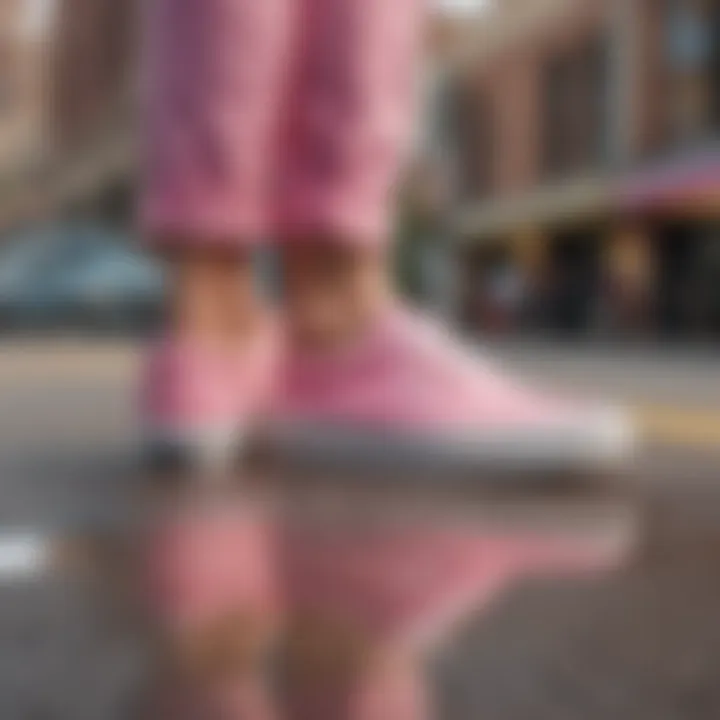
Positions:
{"x": 349, "y": 130}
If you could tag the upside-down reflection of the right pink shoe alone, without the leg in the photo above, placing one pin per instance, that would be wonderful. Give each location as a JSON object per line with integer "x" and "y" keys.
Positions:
{"x": 408, "y": 584}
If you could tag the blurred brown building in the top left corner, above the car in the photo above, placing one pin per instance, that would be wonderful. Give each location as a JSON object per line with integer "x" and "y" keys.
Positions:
{"x": 66, "y": 81}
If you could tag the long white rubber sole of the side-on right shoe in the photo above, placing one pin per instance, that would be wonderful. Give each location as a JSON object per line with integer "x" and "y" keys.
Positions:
{"x": 597, "y": 441}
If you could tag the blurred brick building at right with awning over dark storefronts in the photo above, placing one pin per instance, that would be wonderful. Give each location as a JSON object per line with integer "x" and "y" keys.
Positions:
{"x": 589, "y": 180}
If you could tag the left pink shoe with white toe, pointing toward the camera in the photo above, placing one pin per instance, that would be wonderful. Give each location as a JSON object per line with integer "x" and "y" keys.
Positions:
{"x": 196, "y": 403}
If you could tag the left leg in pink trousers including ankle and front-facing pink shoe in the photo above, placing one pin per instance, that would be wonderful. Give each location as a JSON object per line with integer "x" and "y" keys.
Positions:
{"x": 213, "y": 74}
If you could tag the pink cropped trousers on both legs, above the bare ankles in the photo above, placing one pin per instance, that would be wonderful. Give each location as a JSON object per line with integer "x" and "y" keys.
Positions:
{"x": 276, "y": 116}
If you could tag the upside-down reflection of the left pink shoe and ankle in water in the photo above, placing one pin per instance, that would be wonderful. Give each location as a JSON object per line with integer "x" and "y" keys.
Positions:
{"x": 212, "y": 587}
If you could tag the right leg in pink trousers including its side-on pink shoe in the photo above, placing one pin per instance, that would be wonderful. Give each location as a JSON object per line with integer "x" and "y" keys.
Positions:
{"x": 405, "y": 383}
